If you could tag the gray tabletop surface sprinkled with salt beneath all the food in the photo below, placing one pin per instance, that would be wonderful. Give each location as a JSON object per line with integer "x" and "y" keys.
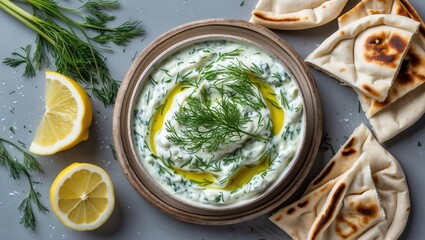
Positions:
{"x": 133, "y": 217}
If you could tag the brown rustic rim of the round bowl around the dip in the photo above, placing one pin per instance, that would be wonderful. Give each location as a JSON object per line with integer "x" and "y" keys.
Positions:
{"x": 130, "y": 90}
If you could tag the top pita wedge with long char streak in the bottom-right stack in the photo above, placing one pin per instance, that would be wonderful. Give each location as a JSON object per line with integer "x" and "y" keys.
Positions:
{"x": 344, "y": 208}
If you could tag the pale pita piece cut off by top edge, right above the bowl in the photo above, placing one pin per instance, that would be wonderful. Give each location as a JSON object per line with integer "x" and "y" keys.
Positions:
{"x": 296, "y": 14}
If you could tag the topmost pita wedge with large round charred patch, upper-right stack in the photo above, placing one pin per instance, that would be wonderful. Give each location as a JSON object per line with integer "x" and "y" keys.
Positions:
{"x": 366, "y": 54}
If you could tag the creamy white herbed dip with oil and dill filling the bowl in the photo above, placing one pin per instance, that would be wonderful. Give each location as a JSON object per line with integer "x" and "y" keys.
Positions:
{"x": 218, "y": 122}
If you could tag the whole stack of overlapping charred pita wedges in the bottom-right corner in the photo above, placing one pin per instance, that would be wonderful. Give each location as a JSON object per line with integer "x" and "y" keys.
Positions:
{"x": 361, "y": 194}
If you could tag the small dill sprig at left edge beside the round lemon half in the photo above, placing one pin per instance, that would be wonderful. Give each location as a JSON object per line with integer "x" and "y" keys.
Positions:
{"x": 16, "y": 169}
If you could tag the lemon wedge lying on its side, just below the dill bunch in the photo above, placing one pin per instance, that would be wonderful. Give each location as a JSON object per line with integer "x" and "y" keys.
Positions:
{"x": 67, "y": 117}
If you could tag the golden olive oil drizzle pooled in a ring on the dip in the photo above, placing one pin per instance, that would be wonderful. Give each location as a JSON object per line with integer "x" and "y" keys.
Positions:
{"x": 245, "y": 173}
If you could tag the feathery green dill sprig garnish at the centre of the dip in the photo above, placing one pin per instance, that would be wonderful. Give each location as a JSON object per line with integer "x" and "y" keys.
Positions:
{"x": 207, "y": 126}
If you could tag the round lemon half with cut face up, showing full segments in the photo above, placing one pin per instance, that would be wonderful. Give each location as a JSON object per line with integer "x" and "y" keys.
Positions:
{"x": 82, "y": 196}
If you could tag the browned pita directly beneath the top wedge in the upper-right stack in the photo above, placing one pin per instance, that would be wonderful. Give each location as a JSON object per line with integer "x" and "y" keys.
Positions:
{"x": 412, "y": 71}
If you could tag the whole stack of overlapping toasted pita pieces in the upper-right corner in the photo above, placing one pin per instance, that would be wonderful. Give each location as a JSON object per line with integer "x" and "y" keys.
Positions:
{"x": 379, "y": 51}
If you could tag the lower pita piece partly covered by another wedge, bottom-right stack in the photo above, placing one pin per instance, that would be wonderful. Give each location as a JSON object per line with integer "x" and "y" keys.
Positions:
{"x": 387, "y": 174}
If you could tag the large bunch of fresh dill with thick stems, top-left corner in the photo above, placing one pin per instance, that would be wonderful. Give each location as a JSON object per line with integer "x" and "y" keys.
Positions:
{"x": 75, "y": 53}
